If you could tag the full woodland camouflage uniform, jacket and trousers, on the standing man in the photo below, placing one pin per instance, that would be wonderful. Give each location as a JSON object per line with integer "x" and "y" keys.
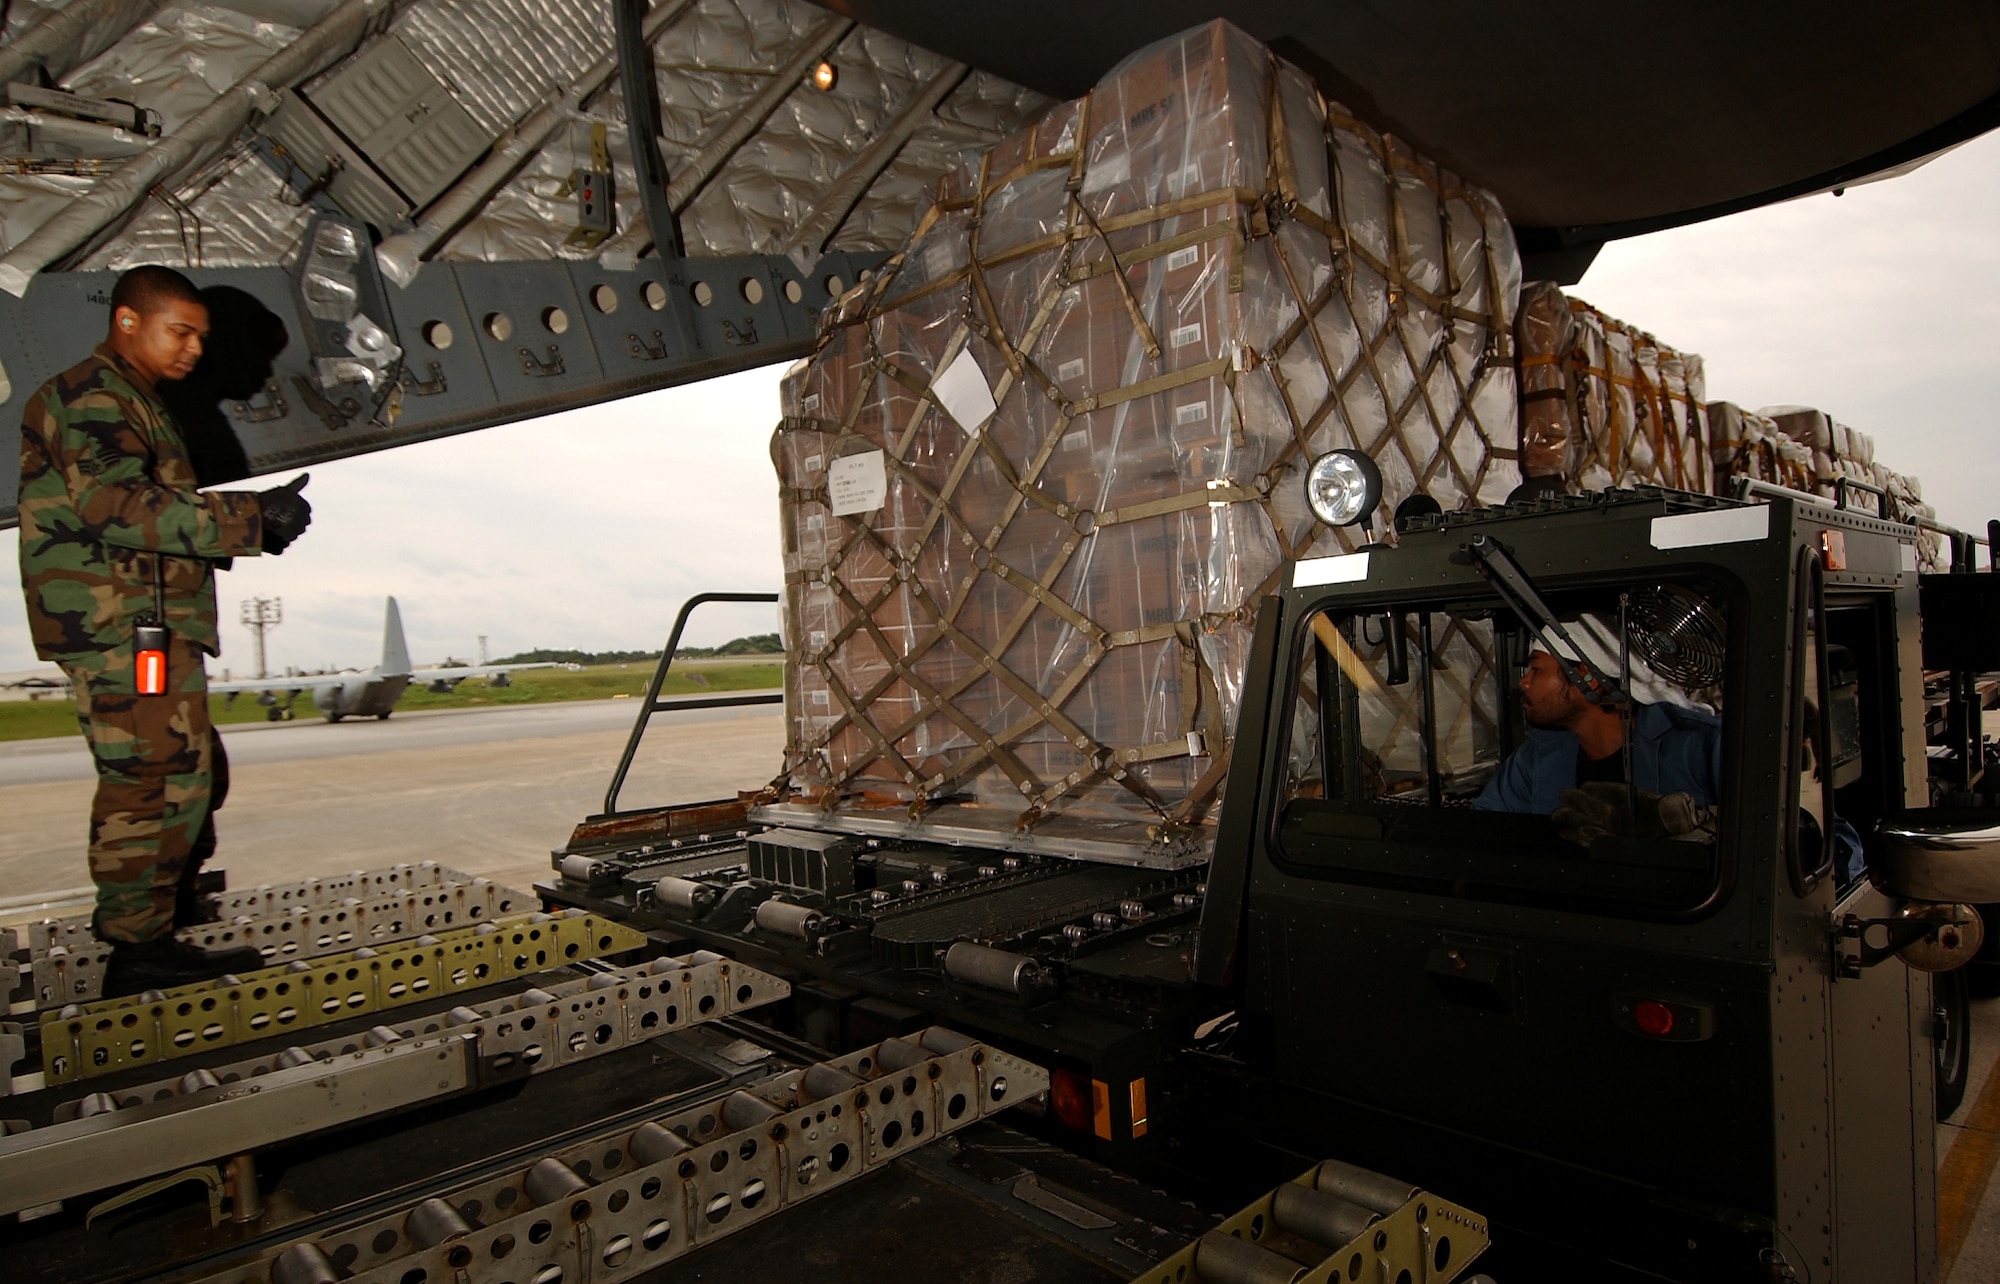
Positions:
{"x": 107, "y": 505}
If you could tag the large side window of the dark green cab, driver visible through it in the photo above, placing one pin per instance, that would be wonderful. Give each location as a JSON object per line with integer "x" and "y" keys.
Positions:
{"x": 1449, "y": 747}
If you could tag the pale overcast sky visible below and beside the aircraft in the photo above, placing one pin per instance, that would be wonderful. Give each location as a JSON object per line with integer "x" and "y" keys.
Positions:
{"x": 589, "y": 529}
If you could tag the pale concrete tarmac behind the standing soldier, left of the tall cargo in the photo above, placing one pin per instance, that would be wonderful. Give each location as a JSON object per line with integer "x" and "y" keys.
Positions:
{"x": 481, "y": 791}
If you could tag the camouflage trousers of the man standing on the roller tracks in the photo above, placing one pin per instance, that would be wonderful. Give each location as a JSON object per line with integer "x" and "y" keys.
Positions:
{"x": 151, "y": 823}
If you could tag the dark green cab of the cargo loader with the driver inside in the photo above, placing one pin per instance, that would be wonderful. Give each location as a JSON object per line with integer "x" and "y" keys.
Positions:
{"x": 1693, "y": 1055}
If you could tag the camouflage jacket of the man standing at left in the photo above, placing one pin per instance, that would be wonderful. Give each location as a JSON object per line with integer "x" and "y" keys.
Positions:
{"x": 107, "y": 493}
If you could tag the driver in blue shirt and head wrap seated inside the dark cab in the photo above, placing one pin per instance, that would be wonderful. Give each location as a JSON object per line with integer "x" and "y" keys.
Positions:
{"x": 1575, "y": 743}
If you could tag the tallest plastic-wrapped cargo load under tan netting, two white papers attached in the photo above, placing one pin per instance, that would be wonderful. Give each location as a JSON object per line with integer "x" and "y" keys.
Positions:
{"x": 1043, "y": 465}
